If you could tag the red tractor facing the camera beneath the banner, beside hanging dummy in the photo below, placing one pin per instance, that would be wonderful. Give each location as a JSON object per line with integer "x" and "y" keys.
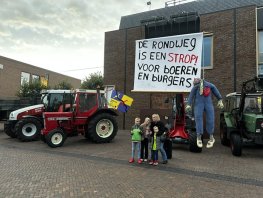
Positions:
{"x": 180, "y": 126}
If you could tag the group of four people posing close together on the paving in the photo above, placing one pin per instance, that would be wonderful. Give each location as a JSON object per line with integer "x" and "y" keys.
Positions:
{"x": 148, "y": 134}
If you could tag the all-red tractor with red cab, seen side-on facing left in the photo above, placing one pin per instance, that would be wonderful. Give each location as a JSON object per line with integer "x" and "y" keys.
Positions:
{"x": 88, "y": 115}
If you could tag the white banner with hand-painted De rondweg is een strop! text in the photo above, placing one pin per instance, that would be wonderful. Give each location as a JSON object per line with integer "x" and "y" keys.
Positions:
{"x": 168, "y": 64}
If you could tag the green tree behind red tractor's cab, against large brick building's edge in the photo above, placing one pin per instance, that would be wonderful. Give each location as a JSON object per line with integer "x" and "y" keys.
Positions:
{"x": 93, "y": 81}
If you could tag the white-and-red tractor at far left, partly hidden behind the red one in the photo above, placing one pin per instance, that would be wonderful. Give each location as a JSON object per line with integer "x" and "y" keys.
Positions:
{"x": 26, "y": 123}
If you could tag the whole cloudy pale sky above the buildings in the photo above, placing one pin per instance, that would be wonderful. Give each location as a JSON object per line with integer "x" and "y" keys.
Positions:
{"x": 66, "y": 36}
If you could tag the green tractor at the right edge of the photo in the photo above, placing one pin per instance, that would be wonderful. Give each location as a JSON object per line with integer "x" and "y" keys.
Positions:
{"x": 241, "y": 122}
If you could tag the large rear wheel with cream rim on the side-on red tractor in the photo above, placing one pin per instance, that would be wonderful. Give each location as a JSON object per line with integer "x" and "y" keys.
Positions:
{"x": 102, "y": 128}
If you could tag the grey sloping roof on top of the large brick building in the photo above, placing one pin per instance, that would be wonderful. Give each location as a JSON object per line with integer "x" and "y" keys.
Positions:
{"x": 200, "y": 6}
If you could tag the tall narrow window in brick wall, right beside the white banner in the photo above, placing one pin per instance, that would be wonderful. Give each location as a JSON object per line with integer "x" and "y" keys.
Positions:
{"x": 207, "y": 53}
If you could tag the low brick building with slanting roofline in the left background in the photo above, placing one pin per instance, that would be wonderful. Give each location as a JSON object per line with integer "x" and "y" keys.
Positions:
{"x": 12, "y": 74}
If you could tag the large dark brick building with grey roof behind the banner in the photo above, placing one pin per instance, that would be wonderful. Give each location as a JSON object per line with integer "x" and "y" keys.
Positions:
{"x": 233, "y": 47}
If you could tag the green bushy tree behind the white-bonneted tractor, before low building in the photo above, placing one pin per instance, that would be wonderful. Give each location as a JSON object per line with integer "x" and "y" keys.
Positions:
{"x": 32, "y": 89}
